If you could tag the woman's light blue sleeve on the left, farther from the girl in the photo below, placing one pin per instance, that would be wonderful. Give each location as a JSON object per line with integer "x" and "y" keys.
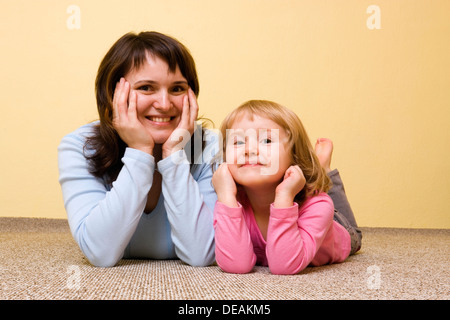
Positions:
{"x": 103, "y": 221}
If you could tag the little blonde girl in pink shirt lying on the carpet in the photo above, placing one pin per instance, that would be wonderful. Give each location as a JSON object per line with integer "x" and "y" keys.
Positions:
{"x": 272, "y": 208}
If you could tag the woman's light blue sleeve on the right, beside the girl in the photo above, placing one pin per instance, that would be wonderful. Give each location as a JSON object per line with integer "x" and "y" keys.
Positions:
{"x": 189, "y": 199}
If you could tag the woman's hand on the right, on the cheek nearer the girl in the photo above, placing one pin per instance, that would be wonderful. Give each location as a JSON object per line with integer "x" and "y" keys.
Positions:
{"x": 181, "y": 135}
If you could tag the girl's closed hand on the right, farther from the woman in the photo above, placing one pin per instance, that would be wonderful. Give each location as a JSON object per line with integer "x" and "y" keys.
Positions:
{"x": 293, "y": 182}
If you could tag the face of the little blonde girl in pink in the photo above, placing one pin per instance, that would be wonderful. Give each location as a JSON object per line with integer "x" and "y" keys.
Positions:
{"x": 256, "y": 151}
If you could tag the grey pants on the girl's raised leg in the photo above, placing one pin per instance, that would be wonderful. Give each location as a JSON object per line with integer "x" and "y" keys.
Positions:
{"x": 343, "y": 213}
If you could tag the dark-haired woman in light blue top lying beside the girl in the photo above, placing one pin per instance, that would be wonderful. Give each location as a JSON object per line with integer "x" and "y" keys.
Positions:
{"x": 137, "y": 183}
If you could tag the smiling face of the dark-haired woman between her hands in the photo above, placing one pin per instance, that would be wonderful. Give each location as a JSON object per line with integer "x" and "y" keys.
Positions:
{"x": 160, "y": 95}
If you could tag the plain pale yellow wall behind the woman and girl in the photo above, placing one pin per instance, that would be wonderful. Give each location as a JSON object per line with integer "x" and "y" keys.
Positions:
{"x": 382, "y": 95}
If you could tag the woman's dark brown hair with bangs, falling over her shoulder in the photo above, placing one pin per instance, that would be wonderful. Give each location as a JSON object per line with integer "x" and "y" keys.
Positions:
{"x": 129, "y": 52}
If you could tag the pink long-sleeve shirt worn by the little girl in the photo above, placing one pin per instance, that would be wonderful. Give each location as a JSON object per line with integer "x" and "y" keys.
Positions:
{"x": 296, "y": 237}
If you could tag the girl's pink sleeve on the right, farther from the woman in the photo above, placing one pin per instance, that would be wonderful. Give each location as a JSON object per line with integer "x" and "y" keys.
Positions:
{"x": 293, "y": 237}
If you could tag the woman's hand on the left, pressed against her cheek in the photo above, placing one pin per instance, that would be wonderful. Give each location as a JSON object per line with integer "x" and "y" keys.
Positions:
{"x": 125, "y": 119}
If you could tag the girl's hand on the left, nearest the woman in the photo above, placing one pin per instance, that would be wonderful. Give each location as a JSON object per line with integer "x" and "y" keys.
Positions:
{"x": 225, "y": 186}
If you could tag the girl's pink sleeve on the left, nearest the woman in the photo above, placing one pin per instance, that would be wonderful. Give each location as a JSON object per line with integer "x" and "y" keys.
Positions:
{"x": 234, "y": 248}
